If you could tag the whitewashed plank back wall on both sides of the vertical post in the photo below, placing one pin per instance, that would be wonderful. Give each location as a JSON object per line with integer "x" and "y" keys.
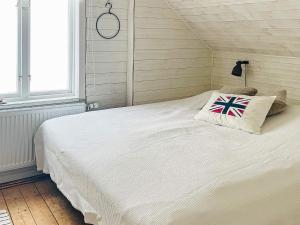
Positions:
{"x": 170, "y": 61}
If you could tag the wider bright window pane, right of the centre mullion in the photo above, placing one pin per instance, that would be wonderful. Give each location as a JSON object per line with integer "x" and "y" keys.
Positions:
{"x": 49, "y": 45}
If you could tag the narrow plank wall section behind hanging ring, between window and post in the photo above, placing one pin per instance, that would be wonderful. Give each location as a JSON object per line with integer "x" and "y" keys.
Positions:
{"x": 106, "y": 63}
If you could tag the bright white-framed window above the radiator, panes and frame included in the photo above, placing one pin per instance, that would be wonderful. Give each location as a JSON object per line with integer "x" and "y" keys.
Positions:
{"x": 38, "y": 50}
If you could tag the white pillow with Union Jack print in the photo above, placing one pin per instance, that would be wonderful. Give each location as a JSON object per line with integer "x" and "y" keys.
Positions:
{"x": 242, "y": 112}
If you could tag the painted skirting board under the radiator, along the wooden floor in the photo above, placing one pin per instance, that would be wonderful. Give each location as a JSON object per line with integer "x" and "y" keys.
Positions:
{"x": 18, "y": 174}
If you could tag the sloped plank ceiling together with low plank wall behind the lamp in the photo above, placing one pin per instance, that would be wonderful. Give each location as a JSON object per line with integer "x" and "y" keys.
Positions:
{"x": 266, "y": 32}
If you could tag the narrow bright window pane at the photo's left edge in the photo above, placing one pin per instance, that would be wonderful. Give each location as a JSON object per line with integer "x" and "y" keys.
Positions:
{"x": 8, "y": 46}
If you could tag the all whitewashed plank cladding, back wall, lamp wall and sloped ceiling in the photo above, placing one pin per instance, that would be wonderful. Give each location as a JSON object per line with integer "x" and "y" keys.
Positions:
{"x": 172, "y": 62}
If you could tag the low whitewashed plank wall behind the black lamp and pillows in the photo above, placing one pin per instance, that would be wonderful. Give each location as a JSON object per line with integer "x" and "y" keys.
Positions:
{"x": 268, "y": 73}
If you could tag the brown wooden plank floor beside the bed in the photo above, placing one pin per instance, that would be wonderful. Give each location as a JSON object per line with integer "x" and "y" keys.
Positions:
{"x": 38, "y": 203}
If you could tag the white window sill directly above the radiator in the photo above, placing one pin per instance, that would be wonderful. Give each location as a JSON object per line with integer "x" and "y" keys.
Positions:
{"x": 40, "y": 102}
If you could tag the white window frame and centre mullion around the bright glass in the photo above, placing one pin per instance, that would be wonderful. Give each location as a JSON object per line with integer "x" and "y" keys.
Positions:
{"x": 76, "y": 50}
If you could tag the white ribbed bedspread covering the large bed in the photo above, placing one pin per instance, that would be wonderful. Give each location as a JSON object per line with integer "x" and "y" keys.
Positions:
{"x": 154, "y": 164}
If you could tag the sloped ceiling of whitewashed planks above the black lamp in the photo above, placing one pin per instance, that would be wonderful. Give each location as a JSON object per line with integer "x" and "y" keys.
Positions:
{"x": 255, "y": 26}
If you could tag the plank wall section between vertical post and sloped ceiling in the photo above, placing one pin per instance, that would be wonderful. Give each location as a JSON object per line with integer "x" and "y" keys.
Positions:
{"x": 170, "y": 61}
